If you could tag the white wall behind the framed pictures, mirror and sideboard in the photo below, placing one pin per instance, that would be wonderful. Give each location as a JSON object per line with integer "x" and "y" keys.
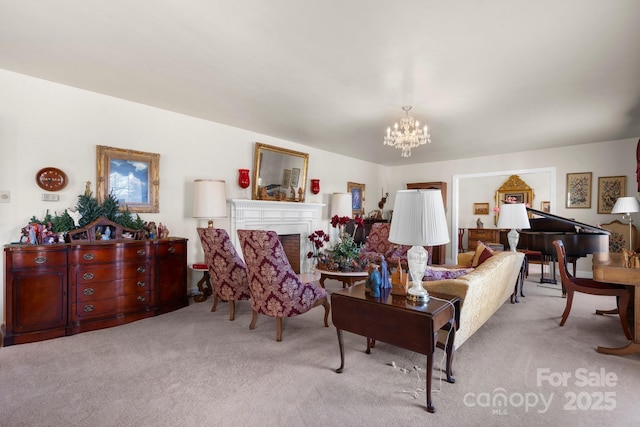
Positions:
{"x": 46, "y": 124}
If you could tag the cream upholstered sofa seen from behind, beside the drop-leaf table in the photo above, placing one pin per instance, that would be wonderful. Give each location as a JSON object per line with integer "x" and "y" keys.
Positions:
{"x": 482, "y": 291}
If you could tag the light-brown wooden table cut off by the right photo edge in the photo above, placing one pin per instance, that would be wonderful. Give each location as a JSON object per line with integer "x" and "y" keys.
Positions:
{"x": 607, "y": 267}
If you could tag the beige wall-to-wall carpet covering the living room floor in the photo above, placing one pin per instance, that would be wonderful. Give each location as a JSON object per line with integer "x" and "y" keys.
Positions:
{"x": 196, "y": 368}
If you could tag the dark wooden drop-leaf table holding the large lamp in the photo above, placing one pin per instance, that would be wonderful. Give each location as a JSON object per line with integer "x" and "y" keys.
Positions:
{"x": 397, "y": 321}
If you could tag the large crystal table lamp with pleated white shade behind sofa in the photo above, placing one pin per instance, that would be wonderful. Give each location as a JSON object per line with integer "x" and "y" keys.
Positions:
{"x": 418, "y": 220}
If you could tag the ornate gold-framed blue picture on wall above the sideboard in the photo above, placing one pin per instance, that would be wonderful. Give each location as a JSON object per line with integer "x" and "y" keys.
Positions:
{"x": 131, "y": 176}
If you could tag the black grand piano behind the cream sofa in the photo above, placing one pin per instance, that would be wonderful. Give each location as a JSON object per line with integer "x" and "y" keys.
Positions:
{"x": 579, "y": 239}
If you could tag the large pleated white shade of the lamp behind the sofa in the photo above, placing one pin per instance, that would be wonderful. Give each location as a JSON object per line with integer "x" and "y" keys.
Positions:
{"x": 419, "y": 219}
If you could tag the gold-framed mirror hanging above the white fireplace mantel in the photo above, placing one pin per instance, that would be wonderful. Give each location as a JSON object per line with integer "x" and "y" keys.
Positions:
{"x": 279, "y": 174}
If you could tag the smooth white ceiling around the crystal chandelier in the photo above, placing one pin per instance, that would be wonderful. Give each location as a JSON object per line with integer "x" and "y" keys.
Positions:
{"x": 487, "y": 76}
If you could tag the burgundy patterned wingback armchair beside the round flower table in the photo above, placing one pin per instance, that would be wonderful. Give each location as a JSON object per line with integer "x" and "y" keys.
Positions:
{"x": 276, "y": 290}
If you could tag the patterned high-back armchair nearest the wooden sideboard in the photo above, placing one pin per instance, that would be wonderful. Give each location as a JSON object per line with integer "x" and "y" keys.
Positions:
{"x": 227, "y": 271}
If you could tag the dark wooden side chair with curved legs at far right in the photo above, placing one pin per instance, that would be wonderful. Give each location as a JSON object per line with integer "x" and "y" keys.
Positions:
{"x": 572, "y": 284}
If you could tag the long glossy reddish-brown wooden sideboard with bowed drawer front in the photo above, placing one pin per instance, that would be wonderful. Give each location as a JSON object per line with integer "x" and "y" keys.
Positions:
{"x": 64, "y": 289}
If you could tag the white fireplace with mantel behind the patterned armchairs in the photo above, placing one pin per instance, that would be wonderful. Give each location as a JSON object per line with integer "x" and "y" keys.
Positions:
{"x": 285, "y": 218}
